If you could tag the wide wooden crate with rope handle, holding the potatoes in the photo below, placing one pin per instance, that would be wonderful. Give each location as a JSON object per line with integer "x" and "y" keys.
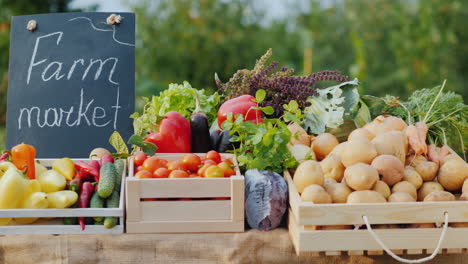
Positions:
{"x": 304, "y": 217}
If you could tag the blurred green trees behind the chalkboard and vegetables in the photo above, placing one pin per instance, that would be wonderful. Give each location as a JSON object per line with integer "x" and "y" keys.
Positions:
{"x": 393, "y": 47}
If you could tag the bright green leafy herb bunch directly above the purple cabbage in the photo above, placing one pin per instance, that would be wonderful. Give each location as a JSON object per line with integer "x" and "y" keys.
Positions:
{"x": 263, "y": 146}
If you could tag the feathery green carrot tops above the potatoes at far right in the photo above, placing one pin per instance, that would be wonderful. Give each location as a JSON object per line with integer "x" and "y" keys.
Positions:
{"x": 444, "y": 113}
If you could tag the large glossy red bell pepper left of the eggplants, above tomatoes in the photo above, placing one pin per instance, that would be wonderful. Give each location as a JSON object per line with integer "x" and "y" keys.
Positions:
{"x": 174, "y": 134}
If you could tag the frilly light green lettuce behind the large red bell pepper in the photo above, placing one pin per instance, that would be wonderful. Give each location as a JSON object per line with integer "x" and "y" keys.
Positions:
{"x": 179, "y": 98}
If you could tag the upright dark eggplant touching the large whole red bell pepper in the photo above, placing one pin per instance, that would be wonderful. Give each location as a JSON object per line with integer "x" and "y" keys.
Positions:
{"x": 200, "y": 130}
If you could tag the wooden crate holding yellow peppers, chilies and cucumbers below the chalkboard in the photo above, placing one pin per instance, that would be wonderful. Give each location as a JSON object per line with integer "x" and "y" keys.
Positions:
{"x": 53, "y": 224}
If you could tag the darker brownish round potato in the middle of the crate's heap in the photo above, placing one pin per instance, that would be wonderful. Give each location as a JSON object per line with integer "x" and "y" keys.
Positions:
{"x": 390, "y": 168}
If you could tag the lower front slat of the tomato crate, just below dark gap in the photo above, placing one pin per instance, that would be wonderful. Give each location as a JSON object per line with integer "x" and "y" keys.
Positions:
{"x": 185, "y": 210}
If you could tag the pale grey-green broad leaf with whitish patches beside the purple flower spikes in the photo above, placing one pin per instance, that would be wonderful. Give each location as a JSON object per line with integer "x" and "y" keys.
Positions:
{"x": 331, "y": 107}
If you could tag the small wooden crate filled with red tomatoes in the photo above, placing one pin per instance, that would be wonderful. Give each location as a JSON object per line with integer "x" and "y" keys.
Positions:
{"x": 191, "y": 216}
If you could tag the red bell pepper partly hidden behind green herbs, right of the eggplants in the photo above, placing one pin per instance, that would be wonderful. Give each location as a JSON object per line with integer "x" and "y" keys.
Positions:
{"x": 240, "y": 105}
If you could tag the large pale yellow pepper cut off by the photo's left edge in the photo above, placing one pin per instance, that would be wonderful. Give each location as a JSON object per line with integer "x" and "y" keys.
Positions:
{"x": 13, "y": 187}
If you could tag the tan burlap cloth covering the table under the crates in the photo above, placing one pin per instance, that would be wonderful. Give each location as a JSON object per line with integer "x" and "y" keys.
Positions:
{"x": 249, "y": 247}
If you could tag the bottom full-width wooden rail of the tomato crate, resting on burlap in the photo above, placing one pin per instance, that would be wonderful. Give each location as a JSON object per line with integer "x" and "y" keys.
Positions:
{"x": 185, "y": 227}
